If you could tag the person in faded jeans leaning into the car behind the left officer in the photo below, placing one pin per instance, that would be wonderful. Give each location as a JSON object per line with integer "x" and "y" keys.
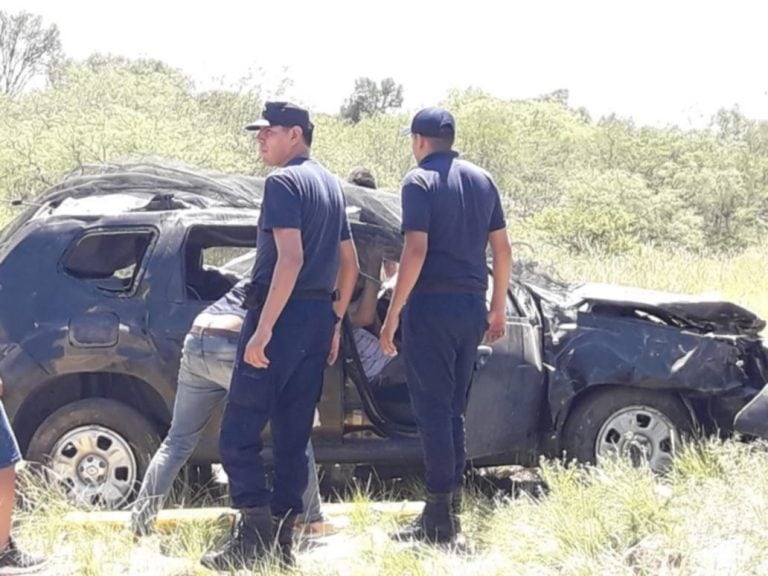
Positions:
{"x": 207, "y": 361}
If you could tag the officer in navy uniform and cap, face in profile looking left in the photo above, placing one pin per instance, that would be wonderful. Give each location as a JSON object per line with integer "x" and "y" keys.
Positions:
{"x": 304, "y": 257}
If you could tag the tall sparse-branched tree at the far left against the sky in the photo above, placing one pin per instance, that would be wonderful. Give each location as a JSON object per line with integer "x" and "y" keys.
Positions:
{"x": 27, "y": 49}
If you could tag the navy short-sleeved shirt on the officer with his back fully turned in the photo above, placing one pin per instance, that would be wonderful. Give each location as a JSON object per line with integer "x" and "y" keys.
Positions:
{"x": 457, "y": 204}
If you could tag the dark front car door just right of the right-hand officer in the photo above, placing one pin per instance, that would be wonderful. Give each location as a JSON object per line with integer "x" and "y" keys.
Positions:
{"x": 508, "y": 390}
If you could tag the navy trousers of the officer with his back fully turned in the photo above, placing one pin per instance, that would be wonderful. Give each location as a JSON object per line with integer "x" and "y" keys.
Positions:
{"x": 441, "y": 333}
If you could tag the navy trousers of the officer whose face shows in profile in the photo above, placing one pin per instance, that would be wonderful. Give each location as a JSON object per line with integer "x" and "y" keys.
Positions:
{"x": 285, "y": 395}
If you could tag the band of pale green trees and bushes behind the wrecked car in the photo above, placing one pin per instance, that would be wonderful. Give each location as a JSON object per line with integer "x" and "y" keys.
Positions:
{"x": 587, "y": 185}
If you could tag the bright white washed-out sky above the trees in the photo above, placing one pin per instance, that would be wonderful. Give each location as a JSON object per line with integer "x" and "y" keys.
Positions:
{"x": 659, "y": 62}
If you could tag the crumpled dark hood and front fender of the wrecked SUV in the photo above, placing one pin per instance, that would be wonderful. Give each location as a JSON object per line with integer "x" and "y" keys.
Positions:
{"x": 602, "y": 334}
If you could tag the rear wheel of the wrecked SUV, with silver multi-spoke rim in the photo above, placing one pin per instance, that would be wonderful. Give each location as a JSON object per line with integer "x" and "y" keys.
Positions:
{"x": 98, "y": 449}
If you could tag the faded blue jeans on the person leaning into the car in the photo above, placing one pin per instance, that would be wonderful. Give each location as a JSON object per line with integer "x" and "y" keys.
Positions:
{"x": 203, "y": 381}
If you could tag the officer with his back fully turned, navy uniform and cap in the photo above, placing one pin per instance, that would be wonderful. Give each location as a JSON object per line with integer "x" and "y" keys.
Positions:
{"x": 451, "y": 212}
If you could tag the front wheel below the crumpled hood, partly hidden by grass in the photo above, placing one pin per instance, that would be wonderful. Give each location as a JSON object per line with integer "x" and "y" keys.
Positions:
{"x": 643, "y": 426}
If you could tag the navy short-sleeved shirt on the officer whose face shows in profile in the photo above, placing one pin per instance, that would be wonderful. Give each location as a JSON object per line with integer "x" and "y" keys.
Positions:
{"x": 304, "y": 195}
